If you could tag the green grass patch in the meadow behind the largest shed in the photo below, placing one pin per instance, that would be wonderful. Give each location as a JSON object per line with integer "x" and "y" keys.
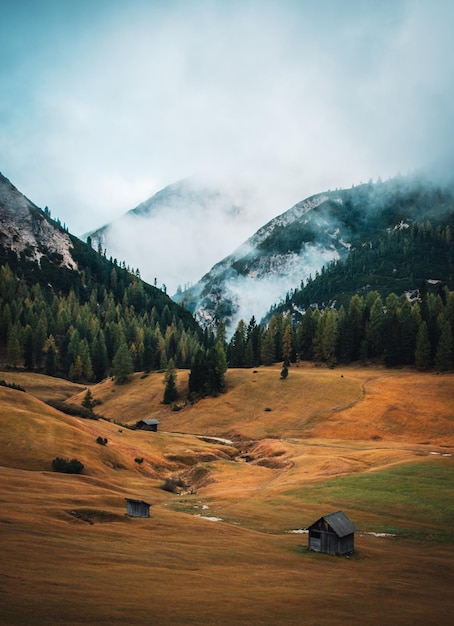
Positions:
{"x": 414, "y": 500}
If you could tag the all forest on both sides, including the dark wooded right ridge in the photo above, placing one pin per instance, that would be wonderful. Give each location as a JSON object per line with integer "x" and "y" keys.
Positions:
{"x": 376, "y": 305}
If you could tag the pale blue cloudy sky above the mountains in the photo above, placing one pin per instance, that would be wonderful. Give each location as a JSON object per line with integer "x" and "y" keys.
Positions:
{"x": 105, "y": 102}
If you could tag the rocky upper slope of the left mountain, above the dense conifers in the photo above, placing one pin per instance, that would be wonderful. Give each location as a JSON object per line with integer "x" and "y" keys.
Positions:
{"x": 39, "y": 250}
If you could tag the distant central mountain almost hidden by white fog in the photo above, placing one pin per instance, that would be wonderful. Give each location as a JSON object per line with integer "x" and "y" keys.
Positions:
{"x": 175, "y": 236}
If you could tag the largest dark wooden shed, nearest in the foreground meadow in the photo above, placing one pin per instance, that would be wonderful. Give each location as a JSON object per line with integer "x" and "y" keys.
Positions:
{"x": 332, "y": 534}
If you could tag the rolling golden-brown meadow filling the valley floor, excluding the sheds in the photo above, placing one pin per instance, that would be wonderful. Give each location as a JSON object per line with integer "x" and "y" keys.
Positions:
{"x": 376, "y": 443}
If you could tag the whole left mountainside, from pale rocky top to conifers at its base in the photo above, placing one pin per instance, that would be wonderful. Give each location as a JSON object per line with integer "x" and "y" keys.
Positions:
{"x": 67, "y": 310}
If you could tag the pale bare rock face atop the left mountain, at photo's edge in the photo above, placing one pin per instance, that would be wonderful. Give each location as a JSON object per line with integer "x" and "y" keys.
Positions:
{"x": 26, "y": 230}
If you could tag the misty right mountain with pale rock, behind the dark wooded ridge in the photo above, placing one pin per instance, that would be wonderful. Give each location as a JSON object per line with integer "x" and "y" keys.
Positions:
{"x": 326, "y": 228}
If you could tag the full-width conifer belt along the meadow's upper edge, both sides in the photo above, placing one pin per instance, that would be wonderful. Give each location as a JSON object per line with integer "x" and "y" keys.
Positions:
{"x": 87, "y": 341}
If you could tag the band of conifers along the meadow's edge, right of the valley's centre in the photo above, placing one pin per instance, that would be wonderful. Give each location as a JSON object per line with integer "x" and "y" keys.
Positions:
{"x": 394, "y": 330}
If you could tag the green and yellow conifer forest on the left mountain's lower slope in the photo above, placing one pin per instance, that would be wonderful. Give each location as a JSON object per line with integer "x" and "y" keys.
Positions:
{"x": 113, "y": 333}
